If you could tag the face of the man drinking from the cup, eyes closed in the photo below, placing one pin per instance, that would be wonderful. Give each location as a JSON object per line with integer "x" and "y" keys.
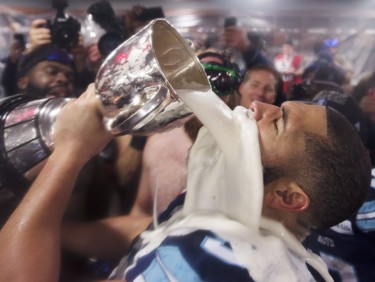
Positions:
{"x": 282, "y": 129}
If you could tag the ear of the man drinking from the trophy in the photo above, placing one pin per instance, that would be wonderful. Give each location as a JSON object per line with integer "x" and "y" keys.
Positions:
{"x": 286, "y": 195}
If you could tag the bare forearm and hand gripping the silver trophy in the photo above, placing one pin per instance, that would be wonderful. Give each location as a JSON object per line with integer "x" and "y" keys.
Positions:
{"x": 30, "y": 240}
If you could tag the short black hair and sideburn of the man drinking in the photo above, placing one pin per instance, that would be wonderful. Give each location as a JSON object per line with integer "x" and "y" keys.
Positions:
{"x": 334, "y": 171}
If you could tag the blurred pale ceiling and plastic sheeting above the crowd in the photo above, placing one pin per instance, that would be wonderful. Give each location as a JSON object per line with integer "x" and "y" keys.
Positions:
{"x": 349, "y": 22}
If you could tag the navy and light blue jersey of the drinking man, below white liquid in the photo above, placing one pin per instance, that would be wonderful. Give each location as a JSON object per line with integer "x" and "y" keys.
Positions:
{"x": 197, "y": 256}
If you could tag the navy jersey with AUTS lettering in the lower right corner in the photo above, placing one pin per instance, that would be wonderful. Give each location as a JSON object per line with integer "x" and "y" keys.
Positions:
{"x": 349, "y": 248}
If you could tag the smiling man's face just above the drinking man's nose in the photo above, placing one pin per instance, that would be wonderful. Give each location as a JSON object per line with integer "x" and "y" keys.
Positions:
{"x": 261, "y": 86}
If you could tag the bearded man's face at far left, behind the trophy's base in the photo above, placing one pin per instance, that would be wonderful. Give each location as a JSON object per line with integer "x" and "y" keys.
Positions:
{"x": 49, "y": 79}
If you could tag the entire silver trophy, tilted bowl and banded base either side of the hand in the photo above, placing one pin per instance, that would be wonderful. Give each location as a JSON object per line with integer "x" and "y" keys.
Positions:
{"x": 136, "y": 89}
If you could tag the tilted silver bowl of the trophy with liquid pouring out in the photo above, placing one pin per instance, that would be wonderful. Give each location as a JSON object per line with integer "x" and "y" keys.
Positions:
{"x": 138, "y": 81}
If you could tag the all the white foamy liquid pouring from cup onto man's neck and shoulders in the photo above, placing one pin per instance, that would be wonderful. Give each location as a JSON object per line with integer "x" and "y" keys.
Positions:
{"x": 225, "y": 195}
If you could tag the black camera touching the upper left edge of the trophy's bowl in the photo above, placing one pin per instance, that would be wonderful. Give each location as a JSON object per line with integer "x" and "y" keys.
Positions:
{"x": 104, "y": 15}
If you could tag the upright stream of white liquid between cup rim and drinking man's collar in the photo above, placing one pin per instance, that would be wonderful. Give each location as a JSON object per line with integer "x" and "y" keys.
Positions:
{"x": 224, "y": 169}
